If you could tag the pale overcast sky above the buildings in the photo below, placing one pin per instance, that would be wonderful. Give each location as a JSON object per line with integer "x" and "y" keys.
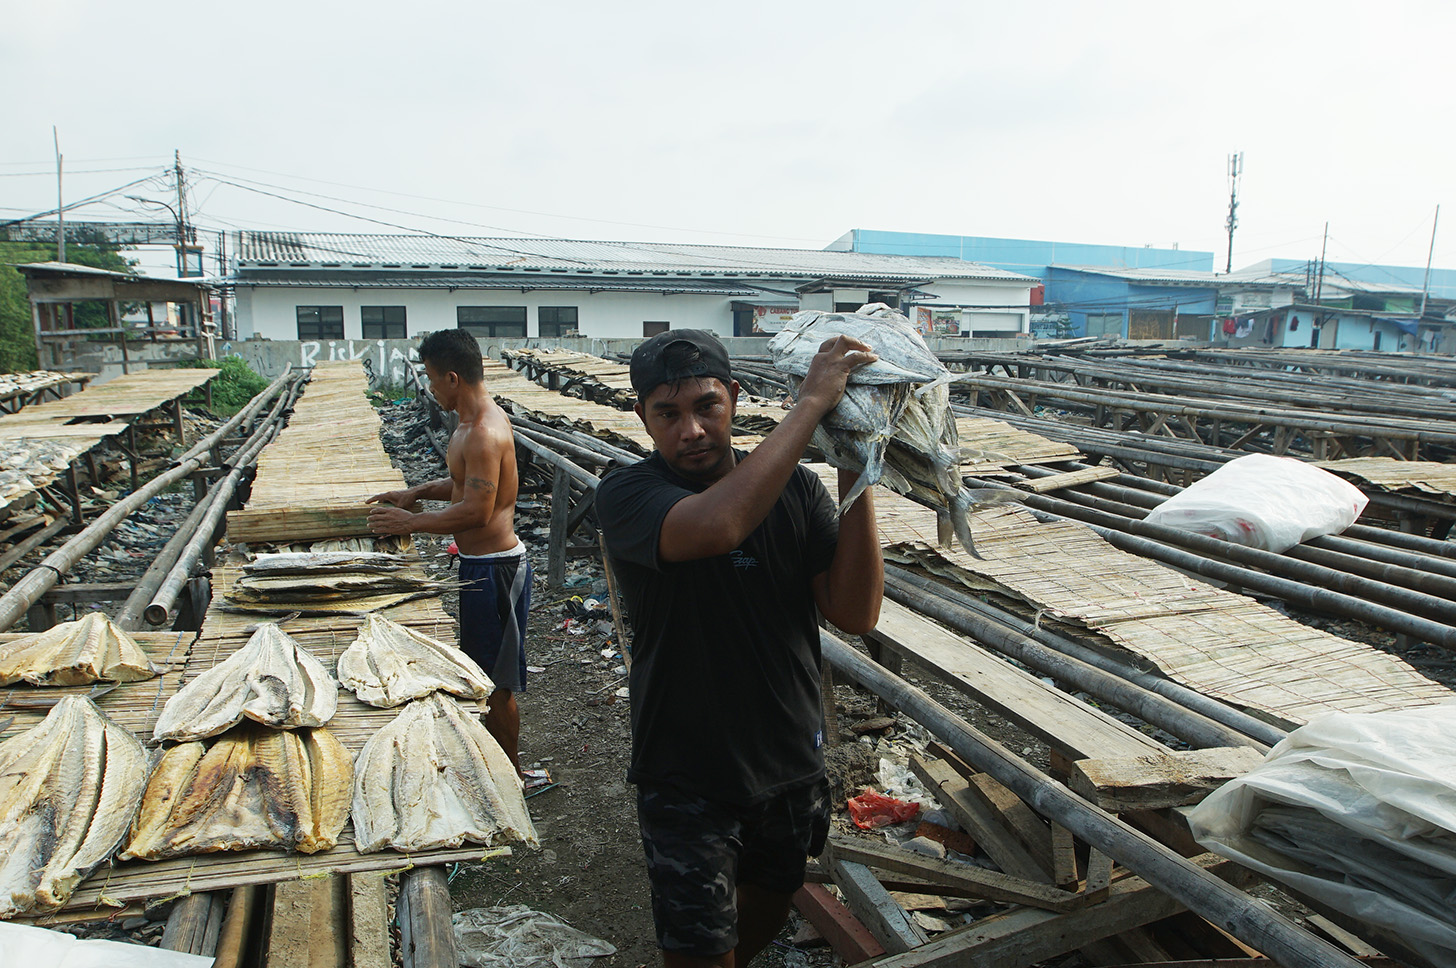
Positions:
{"x": 780, "y": 124}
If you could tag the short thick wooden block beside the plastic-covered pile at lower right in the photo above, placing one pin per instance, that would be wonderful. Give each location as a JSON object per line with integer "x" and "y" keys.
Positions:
{"x": 1160, "y": 781}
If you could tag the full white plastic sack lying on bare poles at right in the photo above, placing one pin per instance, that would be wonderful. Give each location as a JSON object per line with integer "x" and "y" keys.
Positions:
{"x": 1266, "y": 503}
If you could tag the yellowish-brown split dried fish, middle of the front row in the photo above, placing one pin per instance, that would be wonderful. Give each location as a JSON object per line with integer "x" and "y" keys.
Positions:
{"x": 250, "y": 788}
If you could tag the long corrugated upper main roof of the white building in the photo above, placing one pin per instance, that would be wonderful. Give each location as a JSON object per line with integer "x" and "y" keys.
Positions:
{"x": 269, "y": 250}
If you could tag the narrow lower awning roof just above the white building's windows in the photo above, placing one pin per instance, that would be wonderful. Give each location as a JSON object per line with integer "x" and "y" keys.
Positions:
{"x": 494, "y": 282}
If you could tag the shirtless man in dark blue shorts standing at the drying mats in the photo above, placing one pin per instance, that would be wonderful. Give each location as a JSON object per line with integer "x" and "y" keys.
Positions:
{"x": 481, "y": 488}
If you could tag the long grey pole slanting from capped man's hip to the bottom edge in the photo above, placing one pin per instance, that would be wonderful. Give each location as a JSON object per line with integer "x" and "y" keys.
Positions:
{"x": 1203, "y": 894}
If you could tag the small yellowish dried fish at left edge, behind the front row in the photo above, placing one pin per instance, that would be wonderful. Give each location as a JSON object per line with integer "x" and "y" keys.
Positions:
{"x": 75, "y": 653}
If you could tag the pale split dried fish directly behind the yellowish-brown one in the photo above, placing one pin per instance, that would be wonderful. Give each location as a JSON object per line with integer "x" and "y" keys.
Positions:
{"x": 272, "y": 681}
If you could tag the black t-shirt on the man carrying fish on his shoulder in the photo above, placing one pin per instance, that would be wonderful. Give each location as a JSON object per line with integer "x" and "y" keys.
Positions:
{"x": 726, "y": 659}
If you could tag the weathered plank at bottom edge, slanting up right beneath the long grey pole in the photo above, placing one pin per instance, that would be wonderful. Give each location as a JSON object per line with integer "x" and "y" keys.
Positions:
{"x": 1024, "y": 937}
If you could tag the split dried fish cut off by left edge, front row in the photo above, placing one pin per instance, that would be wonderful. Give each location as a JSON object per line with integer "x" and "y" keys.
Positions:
{"x": 69, "y": 790}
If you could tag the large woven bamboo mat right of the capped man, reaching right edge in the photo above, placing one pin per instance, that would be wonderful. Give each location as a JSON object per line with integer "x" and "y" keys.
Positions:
{"x": 1219, "y": 643}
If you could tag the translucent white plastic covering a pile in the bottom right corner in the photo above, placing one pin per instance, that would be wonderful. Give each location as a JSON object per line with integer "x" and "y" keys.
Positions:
{"x": 1358, "y": 812}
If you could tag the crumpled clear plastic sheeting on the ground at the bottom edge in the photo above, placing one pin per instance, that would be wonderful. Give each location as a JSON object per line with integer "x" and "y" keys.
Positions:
{"x": 516, "y": 937}
